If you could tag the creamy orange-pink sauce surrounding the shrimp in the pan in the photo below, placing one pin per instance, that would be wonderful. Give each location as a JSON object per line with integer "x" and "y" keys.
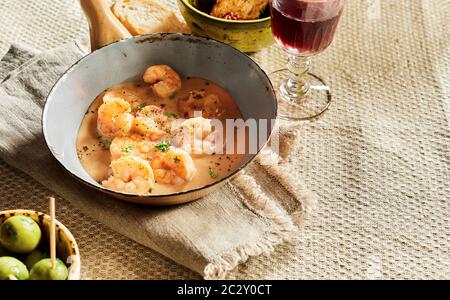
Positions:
{"x": 96, "y": 158}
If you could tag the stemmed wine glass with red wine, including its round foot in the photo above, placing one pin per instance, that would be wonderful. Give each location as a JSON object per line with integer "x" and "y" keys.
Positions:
{"x": 303, "y": 28}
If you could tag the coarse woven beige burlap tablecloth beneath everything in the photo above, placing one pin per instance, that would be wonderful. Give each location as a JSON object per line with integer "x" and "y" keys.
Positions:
{"x": 379, "y": 159}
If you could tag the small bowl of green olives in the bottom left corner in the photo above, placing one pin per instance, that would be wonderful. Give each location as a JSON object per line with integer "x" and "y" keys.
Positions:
{"x": 24, "y": 248}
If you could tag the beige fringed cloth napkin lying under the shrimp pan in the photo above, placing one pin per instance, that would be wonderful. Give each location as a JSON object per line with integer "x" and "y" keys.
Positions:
{"x": 261, "y": 208}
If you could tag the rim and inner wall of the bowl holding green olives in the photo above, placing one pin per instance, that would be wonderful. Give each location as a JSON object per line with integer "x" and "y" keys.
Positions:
{"x": 66, "y": 246}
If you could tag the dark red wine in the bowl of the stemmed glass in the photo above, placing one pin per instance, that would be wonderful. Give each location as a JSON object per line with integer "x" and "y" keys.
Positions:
{"x": 305, "y": 26}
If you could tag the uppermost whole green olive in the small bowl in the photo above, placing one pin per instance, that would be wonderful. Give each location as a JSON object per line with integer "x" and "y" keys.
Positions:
{"x": 20, "y": 234}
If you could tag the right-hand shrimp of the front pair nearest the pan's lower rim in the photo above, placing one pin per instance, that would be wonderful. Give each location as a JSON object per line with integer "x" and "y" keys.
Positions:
{"x": 175, "y": 166}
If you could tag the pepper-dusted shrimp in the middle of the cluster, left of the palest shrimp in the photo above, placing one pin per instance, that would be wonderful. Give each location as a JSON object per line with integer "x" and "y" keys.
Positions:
{"x": 151, "y": 122}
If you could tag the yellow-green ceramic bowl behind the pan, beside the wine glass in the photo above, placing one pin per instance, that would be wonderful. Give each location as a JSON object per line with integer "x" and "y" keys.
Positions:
{"x": 246, "y": 35}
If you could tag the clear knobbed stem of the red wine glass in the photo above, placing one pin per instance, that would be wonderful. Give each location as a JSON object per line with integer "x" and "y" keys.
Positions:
{"x": 298, "y": 67}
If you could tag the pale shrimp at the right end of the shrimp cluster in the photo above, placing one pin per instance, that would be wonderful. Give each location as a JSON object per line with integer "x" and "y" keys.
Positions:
{"x": 196, "y": 136}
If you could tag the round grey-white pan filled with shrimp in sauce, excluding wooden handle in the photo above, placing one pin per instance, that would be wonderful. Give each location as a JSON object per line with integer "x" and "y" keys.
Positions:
{"x": 124, "y": 119}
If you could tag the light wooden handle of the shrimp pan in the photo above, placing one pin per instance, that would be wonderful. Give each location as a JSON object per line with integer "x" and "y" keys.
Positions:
{"x": 104, "y": 27}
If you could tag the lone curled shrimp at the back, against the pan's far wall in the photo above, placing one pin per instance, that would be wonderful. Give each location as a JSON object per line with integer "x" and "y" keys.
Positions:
{"x": 165, "y": 81}
